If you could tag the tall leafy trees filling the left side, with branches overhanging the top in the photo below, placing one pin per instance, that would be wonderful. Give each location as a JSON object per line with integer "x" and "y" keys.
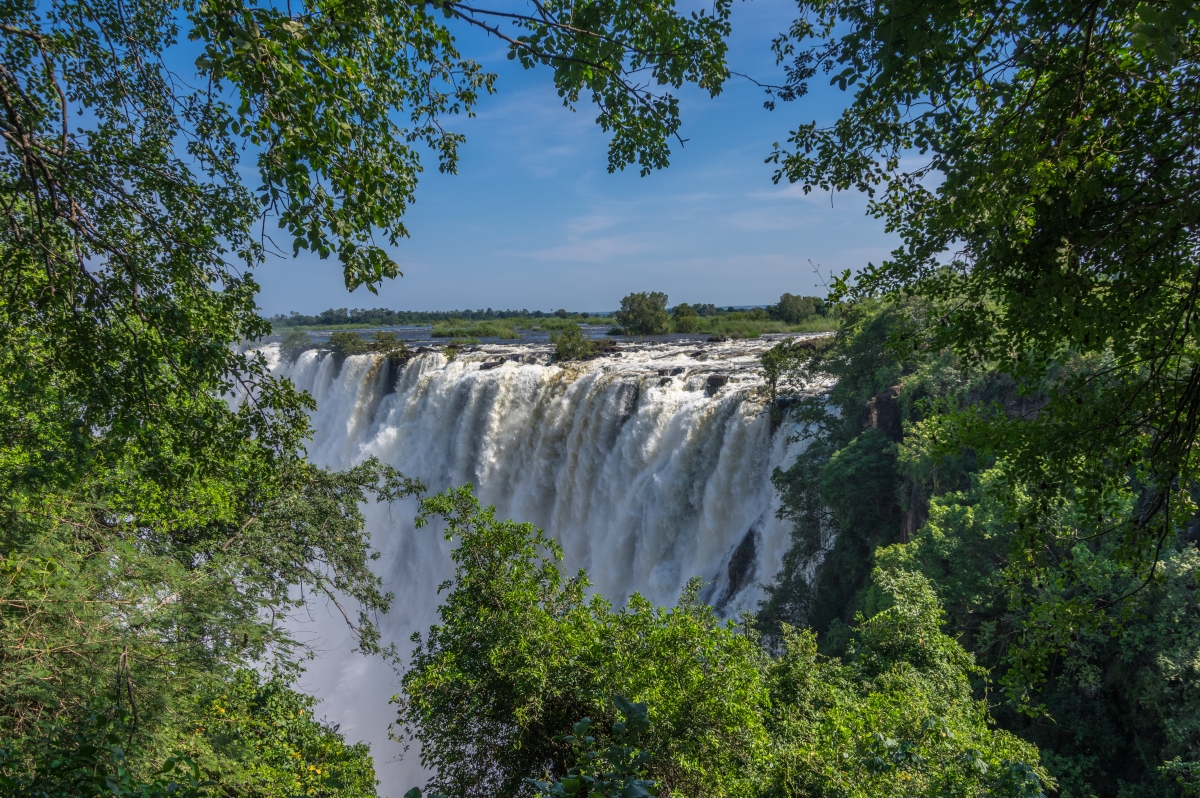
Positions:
{"x": 159, "y": 520}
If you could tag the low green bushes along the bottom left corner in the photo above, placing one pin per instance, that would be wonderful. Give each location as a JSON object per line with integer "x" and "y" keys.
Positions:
{"x": 242, "y": 736}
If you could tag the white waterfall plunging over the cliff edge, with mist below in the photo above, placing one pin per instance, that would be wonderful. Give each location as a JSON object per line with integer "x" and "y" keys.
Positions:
{"x": 644, "y": 475}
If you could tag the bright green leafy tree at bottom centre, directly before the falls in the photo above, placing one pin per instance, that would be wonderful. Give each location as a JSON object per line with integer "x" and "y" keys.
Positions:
{"x": 520, "y": 651}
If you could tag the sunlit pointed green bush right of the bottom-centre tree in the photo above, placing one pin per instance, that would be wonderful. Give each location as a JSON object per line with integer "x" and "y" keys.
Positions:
{"x": 898, "y": 718}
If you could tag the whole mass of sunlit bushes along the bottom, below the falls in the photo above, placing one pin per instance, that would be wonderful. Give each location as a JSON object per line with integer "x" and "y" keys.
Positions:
{"x": 521, "y": 651}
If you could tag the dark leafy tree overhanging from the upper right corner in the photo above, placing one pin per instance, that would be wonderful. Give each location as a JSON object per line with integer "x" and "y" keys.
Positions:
{"x": 1048, "y": 220}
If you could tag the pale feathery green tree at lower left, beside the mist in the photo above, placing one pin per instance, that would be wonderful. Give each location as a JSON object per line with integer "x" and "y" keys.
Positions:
{"x": 147, "y": 611}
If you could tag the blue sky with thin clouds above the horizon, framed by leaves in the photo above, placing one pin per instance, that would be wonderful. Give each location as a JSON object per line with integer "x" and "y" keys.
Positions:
{"x": 535, "y": 220}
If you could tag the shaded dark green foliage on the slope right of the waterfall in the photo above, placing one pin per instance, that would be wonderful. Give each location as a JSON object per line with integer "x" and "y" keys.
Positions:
{"x": 1090, "y": 653}
